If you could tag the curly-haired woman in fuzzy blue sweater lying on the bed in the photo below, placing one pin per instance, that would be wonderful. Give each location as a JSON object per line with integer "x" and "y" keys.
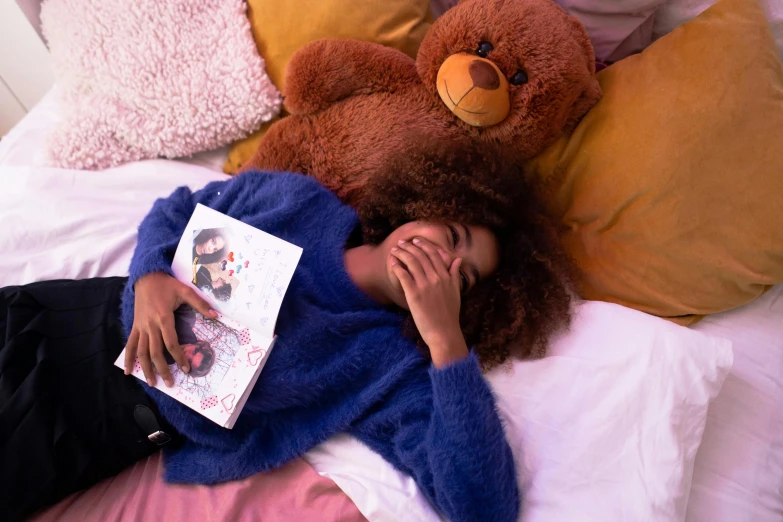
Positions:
{"x": 383, "y": 334}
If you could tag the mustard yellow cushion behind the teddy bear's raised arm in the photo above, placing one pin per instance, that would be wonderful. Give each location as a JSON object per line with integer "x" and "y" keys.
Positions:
{"x": 280, "y": 27}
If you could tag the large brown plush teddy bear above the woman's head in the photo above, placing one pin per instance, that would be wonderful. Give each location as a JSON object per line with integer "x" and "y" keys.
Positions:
{"x": 507, "y": 74}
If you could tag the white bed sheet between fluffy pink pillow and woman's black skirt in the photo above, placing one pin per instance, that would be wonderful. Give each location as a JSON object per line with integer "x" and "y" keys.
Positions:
{"x": 77, "y": 224}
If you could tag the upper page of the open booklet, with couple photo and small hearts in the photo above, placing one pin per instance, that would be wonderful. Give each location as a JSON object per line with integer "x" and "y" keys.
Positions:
{"x": 242, "y": 271}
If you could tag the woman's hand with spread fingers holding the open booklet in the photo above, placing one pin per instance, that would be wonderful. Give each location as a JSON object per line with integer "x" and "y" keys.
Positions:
{"x": 157, "y": 296}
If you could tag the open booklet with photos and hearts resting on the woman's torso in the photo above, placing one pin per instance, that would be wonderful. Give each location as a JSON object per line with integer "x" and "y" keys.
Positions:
{"x": 244, "y": 274}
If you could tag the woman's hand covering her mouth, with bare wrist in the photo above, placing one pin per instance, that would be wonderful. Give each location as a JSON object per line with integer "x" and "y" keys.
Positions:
{"x": 432, "y": 291}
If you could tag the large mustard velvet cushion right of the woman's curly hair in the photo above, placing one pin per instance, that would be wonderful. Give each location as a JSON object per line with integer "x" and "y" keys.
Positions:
{"x": 671, "y": 188}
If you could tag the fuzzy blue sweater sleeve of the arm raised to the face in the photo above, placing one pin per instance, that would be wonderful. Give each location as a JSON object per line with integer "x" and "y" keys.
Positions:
{"x": 454, "y": 446}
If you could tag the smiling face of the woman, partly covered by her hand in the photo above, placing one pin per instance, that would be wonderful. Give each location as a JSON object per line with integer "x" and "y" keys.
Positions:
{"x": 476, "y": 246}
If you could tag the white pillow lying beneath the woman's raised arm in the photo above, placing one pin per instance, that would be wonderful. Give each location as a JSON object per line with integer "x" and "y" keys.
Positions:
{"x": 606, "y": 428}
